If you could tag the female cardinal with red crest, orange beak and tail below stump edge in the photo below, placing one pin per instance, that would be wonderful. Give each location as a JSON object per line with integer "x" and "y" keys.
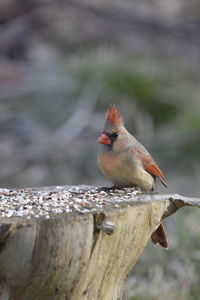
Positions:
{"x": 127, "y": 163}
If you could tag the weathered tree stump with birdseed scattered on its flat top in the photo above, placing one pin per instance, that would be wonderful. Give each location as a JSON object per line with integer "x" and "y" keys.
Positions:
{"x": 75, "y": 242}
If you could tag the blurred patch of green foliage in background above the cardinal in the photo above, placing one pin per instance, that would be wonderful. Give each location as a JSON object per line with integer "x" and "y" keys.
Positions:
{"x": 125, "y": 79}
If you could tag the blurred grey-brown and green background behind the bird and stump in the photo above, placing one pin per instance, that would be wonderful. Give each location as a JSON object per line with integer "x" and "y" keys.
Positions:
{"x": 62, "y": 63}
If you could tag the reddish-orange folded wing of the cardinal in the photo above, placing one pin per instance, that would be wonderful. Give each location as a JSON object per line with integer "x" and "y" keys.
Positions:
{"x": 150, "y": 165}
